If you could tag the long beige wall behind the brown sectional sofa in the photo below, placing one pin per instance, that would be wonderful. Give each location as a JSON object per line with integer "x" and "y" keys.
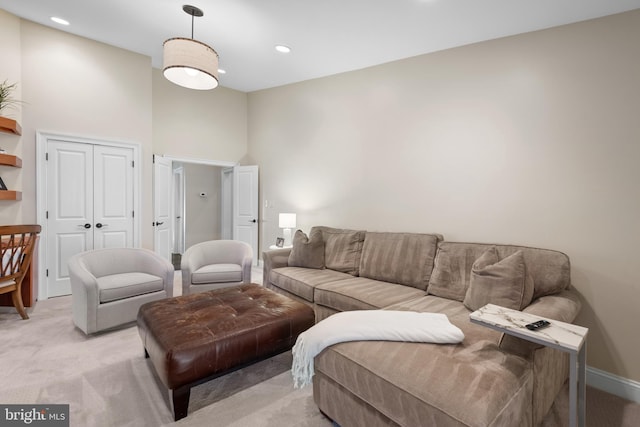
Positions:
{"x": 530, "y": 140}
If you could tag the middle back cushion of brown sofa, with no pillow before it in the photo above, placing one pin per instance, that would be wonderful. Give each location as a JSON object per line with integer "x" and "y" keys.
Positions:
{"x": 402, "y": 258}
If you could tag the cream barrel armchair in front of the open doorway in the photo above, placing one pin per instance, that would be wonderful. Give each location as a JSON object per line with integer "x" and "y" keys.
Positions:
{"x": 215, "y": 264}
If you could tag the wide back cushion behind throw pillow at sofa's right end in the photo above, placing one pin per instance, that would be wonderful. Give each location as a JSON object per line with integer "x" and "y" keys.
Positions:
{"x": 550, "y": 270}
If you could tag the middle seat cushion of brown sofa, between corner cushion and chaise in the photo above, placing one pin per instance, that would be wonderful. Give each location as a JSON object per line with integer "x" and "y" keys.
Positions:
{"x": 360, "y": 293}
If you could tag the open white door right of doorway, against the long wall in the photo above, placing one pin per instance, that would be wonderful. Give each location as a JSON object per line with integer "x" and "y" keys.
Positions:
{"x": 246, "y": 207}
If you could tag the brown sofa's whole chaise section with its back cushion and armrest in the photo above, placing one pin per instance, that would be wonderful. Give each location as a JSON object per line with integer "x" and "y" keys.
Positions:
{"x": 487, "y": 380}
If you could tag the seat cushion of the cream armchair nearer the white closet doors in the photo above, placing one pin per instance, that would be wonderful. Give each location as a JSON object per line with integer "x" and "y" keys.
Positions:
{"x": 115, "y": 287}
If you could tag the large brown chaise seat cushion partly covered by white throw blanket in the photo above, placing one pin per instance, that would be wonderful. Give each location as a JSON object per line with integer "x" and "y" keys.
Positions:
{"x": 472, "y": 383}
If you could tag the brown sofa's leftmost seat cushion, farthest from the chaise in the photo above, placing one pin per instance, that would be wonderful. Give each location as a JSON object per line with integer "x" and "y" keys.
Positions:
{"x": 302, "y": 281}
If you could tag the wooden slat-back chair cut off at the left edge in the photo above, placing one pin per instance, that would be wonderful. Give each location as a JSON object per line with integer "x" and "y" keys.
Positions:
{"x": 17, "y": 243}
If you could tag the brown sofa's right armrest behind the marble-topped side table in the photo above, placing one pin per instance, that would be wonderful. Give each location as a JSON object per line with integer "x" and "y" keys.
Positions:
{"x": 563, "y": 306}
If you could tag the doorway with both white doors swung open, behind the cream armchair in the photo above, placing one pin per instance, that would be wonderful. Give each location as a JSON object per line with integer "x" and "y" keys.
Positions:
{"x": 197, "y": 201}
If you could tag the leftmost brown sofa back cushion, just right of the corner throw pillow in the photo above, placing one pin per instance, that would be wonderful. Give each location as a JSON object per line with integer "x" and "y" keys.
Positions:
{"x": 342, "y": 248}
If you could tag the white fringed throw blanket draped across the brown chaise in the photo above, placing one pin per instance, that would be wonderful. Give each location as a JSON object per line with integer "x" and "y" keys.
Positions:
{"x": 368, "y": 325}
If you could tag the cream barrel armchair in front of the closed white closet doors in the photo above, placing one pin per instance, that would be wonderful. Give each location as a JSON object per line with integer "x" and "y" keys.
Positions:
{"x": 108, "y": 286}
